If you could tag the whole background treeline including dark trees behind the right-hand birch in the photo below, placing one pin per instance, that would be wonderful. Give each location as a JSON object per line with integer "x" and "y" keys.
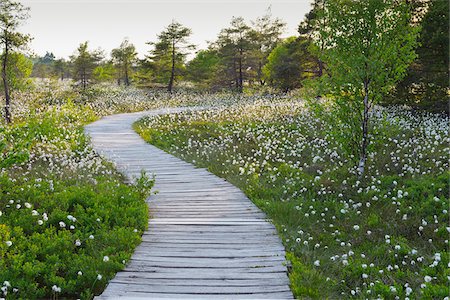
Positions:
{"x": 252, "y": 55}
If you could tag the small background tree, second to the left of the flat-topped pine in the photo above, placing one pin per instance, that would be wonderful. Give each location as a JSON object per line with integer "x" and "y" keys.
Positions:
{"x": 84, "y": 63}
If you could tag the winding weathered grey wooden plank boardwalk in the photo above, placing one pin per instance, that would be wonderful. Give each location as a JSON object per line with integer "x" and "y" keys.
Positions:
{"x": 205, "y": 239}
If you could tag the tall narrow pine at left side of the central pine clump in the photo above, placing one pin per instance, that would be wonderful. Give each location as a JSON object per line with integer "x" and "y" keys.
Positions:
{"x": 234, "y": 46}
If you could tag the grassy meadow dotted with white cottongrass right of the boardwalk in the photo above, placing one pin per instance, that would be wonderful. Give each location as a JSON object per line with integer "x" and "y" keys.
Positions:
{"x": 375, "y": 236}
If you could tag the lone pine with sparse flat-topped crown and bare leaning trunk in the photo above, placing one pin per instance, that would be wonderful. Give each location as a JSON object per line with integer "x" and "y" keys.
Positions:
{"x": 172, "y": 45}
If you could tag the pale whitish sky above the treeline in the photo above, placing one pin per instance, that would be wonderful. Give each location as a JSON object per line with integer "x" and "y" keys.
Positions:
{"x": 59, "y": 26}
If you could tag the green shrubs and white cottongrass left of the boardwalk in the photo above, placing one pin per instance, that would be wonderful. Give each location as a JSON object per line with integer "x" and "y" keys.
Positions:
{"x": 68, "y": 222}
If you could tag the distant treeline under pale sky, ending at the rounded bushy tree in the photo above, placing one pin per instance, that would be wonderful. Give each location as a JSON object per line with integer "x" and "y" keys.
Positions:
{"x": 244, "y": 55}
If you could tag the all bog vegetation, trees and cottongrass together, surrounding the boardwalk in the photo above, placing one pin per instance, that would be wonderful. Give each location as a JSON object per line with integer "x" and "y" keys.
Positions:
{"x": 341, "y": 137}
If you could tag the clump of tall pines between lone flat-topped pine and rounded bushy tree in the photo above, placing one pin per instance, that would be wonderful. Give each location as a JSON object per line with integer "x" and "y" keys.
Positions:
{"x": 241, "y": 51}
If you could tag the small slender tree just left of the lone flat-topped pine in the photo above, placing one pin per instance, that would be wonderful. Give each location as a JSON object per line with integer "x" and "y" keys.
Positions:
{"x": 124, "y": 57}
